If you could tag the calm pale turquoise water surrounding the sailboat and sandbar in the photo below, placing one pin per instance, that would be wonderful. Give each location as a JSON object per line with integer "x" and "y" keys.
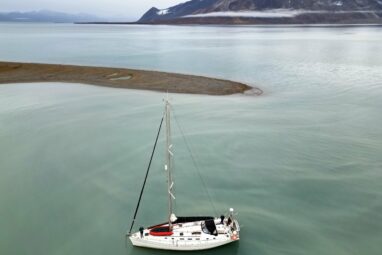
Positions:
{"x": 301, "y": 164}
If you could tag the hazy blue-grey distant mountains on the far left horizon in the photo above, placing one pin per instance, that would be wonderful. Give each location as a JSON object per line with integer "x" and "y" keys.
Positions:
{"x": 46, "y": 16}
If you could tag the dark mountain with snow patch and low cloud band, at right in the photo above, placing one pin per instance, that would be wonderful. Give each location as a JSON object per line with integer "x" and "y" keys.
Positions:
{"x": 268, "y": 11}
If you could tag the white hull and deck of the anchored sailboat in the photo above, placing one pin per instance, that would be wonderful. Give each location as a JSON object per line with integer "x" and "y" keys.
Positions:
{"x": 188, "y": 237}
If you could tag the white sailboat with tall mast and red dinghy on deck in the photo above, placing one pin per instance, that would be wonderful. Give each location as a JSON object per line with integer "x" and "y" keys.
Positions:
{"x": 189, "y": 233}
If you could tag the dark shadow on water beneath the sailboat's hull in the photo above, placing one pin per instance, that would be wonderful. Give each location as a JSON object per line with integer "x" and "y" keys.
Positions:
{"x": 232, "y": 248}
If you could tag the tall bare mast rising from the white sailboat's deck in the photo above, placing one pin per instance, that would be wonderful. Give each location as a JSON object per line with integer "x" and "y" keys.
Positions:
{"x": 168, "y": 166}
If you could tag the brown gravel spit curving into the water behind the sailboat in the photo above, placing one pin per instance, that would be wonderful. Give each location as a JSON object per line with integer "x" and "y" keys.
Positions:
{"x": 18, "y": 72}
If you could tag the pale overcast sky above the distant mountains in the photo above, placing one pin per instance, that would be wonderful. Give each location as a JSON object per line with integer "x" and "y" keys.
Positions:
{"x": 125, "y": 8}
